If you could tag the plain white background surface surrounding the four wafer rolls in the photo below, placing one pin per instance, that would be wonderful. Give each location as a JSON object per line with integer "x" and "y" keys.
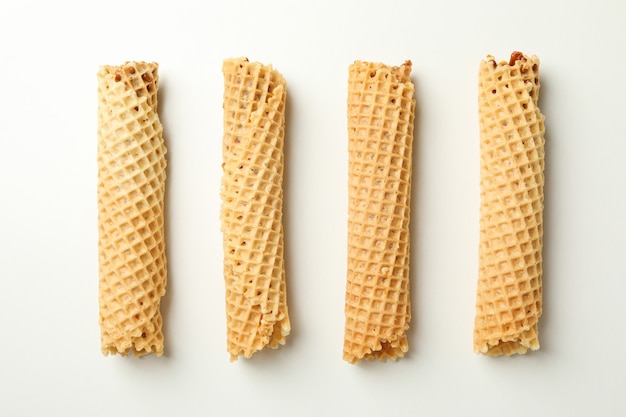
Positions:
{"x": 50, "y": 360}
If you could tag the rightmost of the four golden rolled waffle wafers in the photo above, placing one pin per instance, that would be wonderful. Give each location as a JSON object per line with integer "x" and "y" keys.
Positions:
{"x": 509, "y": 293}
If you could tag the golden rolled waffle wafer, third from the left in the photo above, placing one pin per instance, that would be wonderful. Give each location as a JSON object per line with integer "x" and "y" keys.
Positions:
{"x": 381, "y": 108}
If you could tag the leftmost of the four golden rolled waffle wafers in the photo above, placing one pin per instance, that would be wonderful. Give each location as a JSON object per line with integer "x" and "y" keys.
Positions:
{"x": 131, "y": 187}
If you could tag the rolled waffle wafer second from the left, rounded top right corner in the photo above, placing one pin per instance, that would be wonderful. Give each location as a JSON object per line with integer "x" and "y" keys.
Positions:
{"x": 251, "y": 213}
